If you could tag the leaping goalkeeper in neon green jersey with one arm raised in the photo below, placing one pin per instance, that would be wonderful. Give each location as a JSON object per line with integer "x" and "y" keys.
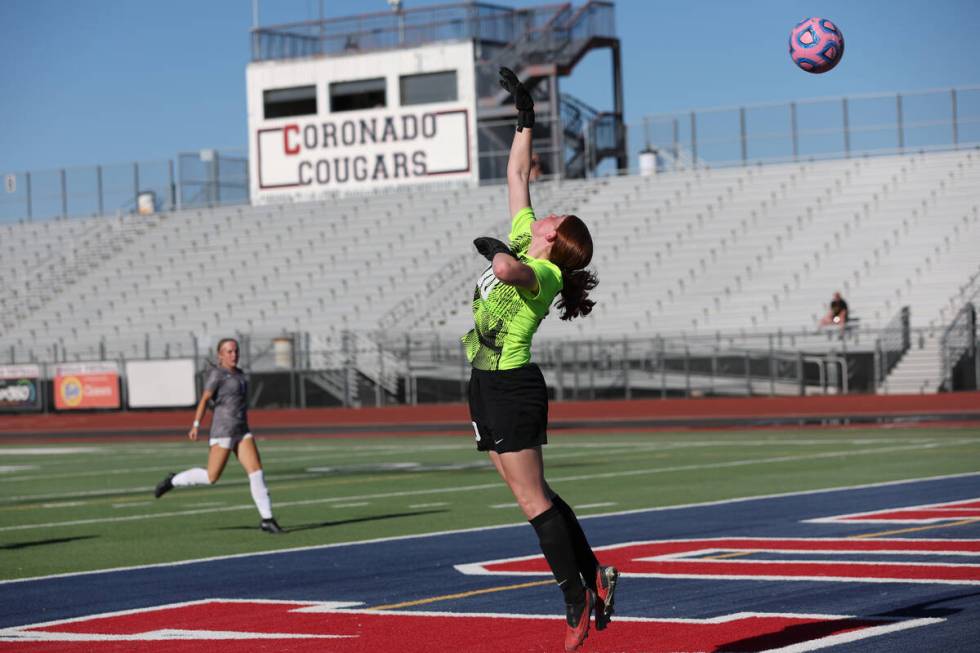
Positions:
{"x": 508, "y": 398}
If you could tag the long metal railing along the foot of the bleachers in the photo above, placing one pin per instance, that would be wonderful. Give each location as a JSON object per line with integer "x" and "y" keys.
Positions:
{"x": 348, "y": 368}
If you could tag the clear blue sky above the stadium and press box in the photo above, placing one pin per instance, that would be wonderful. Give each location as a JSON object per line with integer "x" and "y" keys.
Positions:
{"x": 107, "y": 81}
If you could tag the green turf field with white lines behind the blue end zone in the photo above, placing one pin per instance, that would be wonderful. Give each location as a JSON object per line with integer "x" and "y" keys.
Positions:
{"x": 89, "y": 505}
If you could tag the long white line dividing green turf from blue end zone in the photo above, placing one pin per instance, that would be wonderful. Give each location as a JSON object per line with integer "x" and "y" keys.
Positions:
{"x": 478, "y": 529}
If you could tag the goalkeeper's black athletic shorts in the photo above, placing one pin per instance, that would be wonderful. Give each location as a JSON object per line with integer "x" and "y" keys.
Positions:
{"x": 509, "y": 408}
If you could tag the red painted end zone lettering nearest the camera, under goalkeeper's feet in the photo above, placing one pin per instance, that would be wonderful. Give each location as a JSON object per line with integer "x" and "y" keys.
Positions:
{"x": 413, "y": 633}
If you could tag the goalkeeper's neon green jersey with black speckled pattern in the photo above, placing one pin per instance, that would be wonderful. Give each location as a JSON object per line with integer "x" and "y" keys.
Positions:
{"x": 505, "y": 316}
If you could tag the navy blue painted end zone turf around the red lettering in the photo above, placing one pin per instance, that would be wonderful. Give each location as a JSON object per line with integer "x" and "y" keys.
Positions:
{"x": 420, "y": 574}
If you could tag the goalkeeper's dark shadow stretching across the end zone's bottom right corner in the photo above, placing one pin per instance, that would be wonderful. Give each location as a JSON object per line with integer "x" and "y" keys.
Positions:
{"x": 806, "y": 632}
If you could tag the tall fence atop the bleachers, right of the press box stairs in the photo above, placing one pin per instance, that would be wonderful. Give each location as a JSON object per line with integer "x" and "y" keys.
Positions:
{"x": 824, "y": 128}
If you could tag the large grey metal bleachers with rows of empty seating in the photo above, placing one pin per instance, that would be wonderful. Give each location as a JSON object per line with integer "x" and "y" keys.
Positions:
{"x": 738, "y": 250}
